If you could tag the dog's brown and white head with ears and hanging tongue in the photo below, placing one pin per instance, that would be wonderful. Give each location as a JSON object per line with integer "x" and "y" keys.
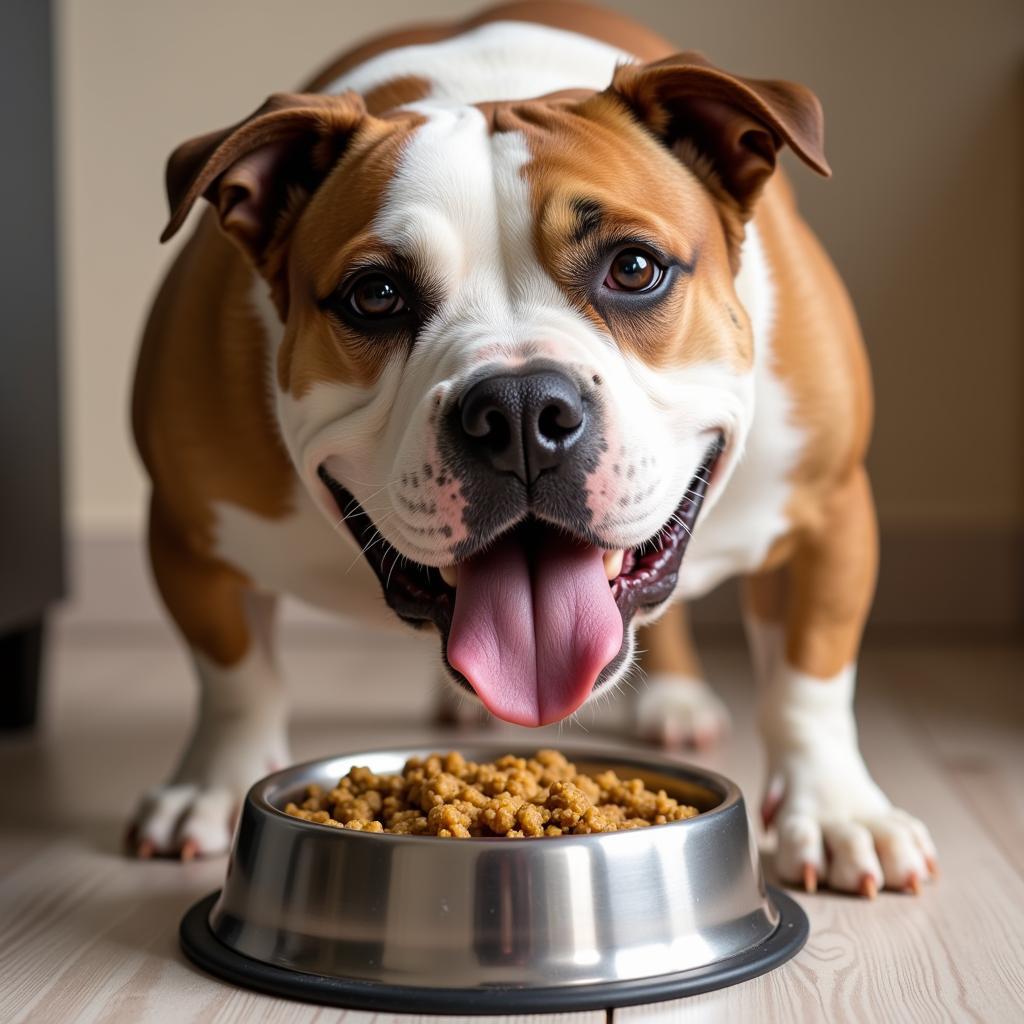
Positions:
{"x": 513, "y": 360}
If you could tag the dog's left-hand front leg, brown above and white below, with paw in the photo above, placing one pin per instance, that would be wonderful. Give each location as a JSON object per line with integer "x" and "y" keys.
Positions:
{"x": 240, "y": 733}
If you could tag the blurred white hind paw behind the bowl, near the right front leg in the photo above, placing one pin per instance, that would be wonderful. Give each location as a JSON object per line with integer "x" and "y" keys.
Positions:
{"x": 674, "y": 712}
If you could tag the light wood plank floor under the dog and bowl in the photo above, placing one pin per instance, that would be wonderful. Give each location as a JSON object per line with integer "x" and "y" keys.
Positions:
{"x": 88, "y": 935}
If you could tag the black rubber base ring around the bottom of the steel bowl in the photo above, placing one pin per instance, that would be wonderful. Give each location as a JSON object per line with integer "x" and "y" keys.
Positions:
{"x": 204, "y": 949}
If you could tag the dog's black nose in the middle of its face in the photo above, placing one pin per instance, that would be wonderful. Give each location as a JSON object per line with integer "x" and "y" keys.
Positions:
{"x": 524, "y": 424}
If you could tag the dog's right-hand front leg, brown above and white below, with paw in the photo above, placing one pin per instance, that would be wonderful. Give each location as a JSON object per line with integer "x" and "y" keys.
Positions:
{"x": 833, "y": 821}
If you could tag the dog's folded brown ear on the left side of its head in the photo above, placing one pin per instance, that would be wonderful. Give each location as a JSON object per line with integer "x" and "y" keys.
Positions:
{"x": 249, "y": 172}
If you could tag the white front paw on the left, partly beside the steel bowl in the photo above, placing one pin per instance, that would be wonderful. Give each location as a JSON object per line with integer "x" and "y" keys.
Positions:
{"x": 194, "y": 816}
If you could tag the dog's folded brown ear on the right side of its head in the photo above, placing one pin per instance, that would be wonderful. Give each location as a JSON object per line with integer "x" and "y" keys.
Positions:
{"x": 739, "y": 123}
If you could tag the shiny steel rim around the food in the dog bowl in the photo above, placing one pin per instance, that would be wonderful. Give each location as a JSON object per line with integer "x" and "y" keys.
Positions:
{"x": 732, "y": 795}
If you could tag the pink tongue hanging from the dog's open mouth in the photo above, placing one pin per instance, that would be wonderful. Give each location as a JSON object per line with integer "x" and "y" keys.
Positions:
{"x": 533, "y": 629}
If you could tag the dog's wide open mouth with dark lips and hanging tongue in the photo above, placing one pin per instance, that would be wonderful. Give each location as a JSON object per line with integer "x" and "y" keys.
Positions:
{"x": 536, "y": 619}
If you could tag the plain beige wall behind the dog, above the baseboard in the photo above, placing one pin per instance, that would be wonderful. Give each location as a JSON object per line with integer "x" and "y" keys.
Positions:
{"x": 924, "y": 216}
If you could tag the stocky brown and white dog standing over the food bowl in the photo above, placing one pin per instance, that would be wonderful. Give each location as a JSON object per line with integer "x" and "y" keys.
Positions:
{"x": 504, "y": 306}
